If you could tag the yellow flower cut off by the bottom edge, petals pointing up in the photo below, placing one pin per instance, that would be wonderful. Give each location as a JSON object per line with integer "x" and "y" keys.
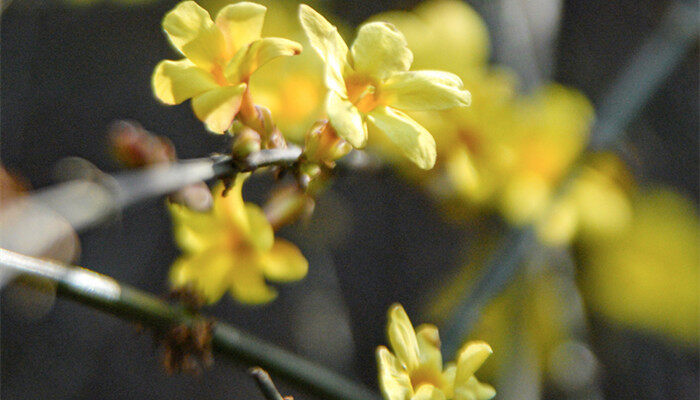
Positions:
{"x": 414, "y": 371}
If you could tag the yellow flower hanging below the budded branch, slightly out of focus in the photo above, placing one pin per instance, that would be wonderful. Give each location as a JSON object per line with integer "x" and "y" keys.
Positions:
{"x": 232, "y": 247}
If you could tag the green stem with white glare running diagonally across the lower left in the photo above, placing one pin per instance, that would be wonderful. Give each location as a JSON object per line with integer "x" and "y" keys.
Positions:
{"x": 106, "y": 294}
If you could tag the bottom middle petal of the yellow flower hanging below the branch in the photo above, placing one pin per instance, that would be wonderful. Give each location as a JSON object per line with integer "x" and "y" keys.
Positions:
{"x": 247, "y": 281}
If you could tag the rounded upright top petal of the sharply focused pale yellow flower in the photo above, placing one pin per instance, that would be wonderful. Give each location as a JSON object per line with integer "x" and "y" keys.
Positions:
{"x": 380, "y": 50}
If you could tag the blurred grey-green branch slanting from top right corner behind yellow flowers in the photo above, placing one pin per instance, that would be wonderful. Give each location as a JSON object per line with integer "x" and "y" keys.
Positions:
{"x": 633, "y": 88}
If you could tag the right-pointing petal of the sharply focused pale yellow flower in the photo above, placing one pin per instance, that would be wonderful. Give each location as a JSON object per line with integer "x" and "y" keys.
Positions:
{"x": 425, "y": 90}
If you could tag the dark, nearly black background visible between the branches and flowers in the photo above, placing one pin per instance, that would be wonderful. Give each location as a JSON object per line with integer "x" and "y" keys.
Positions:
{"x": 66, "y": 73}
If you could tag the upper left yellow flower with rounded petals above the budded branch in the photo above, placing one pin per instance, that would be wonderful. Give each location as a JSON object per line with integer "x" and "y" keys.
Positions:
{"x": 219, "y": 59}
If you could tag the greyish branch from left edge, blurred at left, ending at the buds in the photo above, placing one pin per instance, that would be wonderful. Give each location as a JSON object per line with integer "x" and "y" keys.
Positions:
{"x": 86, "y": 203}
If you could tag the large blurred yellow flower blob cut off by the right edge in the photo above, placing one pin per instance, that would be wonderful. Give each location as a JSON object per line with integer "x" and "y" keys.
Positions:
{"x": 648, "y": 276}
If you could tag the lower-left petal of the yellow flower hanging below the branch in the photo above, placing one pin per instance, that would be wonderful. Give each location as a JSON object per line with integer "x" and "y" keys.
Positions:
{"x": 205, "y": 272}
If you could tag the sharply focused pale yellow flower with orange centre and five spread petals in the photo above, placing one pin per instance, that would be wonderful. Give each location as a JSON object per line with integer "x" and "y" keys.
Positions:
{"x": 368, "y": 84}
